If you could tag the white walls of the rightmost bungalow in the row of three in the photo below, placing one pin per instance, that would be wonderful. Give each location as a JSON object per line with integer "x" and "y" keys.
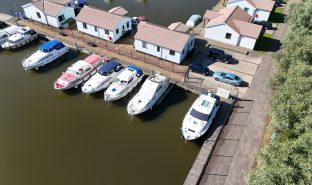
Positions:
{"x": 164, "y": 53}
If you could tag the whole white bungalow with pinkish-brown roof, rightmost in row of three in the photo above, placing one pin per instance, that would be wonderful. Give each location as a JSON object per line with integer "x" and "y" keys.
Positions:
{"x": 163, "y": 42}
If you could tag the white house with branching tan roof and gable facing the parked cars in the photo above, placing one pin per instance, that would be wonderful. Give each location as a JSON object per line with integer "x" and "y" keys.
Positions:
{"x": 231, "y": 26}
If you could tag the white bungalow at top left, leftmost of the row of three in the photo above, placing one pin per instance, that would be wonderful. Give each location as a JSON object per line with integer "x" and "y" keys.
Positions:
{"x": 50, "y": 12}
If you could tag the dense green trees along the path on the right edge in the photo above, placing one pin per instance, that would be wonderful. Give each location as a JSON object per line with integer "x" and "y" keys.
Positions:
{"x": 288, "y": 158}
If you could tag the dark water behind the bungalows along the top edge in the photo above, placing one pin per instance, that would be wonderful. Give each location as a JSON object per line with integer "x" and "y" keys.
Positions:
{"x": 161, "y": 12}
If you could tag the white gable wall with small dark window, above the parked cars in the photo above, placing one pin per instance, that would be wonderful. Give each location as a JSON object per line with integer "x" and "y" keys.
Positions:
{"x": 218, "y": 33}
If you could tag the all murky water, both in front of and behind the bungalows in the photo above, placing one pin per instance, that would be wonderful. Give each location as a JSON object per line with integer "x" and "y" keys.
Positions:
{"x": 50, "y": 138}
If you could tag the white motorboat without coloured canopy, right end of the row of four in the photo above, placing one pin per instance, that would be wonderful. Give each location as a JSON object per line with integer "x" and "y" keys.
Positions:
{"x": 151, "y": 91}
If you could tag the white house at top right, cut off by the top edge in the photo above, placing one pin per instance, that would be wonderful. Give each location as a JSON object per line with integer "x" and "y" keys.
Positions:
{"x": 259, "y": 9}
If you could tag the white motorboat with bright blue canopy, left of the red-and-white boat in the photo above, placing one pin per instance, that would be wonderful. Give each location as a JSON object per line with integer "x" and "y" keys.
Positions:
{"x": 47, "y": 53}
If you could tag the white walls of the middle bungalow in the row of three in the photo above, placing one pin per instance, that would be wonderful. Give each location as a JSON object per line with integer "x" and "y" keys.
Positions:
{"x": 101, "y": 31}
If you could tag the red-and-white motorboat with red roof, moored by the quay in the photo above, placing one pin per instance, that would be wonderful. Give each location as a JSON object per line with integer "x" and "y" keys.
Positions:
{"x": 79, "y": 72}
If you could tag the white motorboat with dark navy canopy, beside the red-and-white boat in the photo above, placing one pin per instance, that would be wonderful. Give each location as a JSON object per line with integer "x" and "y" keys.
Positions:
{"x": 103, "y": 78}
